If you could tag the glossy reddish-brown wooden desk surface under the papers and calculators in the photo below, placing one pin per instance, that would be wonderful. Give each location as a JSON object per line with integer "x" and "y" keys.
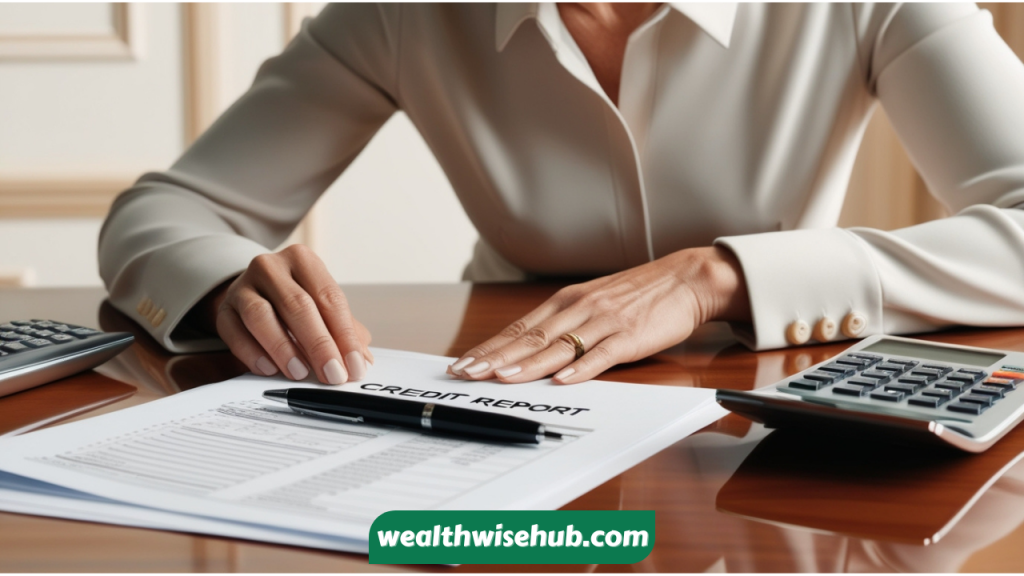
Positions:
{"x": 732, "y": 498}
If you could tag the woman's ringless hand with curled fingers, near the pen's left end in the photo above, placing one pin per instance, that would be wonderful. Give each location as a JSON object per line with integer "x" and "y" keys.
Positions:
{"x": 286, "y": 313}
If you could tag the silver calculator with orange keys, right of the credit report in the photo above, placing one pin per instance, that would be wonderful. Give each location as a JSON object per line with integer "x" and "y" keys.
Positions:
{"x": 899, "y": 389}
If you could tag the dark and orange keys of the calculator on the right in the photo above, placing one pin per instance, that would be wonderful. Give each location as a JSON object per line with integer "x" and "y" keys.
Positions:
{"x": 893, "y": 381}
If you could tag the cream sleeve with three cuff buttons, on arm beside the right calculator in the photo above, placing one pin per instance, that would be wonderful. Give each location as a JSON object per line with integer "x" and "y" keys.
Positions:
{"x": 954, "y": 92}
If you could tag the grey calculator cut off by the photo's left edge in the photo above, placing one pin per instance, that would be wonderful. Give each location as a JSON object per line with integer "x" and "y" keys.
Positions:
{"x": 37, "y": 352}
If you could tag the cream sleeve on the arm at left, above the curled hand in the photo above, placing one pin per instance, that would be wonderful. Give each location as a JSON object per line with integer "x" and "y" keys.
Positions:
{"x": 242, "y": 188}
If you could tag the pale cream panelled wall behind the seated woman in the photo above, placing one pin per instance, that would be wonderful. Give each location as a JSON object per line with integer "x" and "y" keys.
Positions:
{"x": 95, "y": 95}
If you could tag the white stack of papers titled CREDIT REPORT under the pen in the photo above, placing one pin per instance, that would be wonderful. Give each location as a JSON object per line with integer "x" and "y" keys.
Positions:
{"x": 221, "y": 460}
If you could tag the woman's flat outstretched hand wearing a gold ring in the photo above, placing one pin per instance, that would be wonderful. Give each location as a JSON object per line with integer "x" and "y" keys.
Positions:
{"x": 621, "y": 318}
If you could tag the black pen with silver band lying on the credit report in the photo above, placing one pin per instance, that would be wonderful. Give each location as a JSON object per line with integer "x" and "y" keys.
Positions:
{"x": 355, "y": 407}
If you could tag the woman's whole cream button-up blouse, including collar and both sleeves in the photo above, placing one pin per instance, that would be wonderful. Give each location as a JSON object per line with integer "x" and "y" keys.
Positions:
{"x": 737, "y": 126}
